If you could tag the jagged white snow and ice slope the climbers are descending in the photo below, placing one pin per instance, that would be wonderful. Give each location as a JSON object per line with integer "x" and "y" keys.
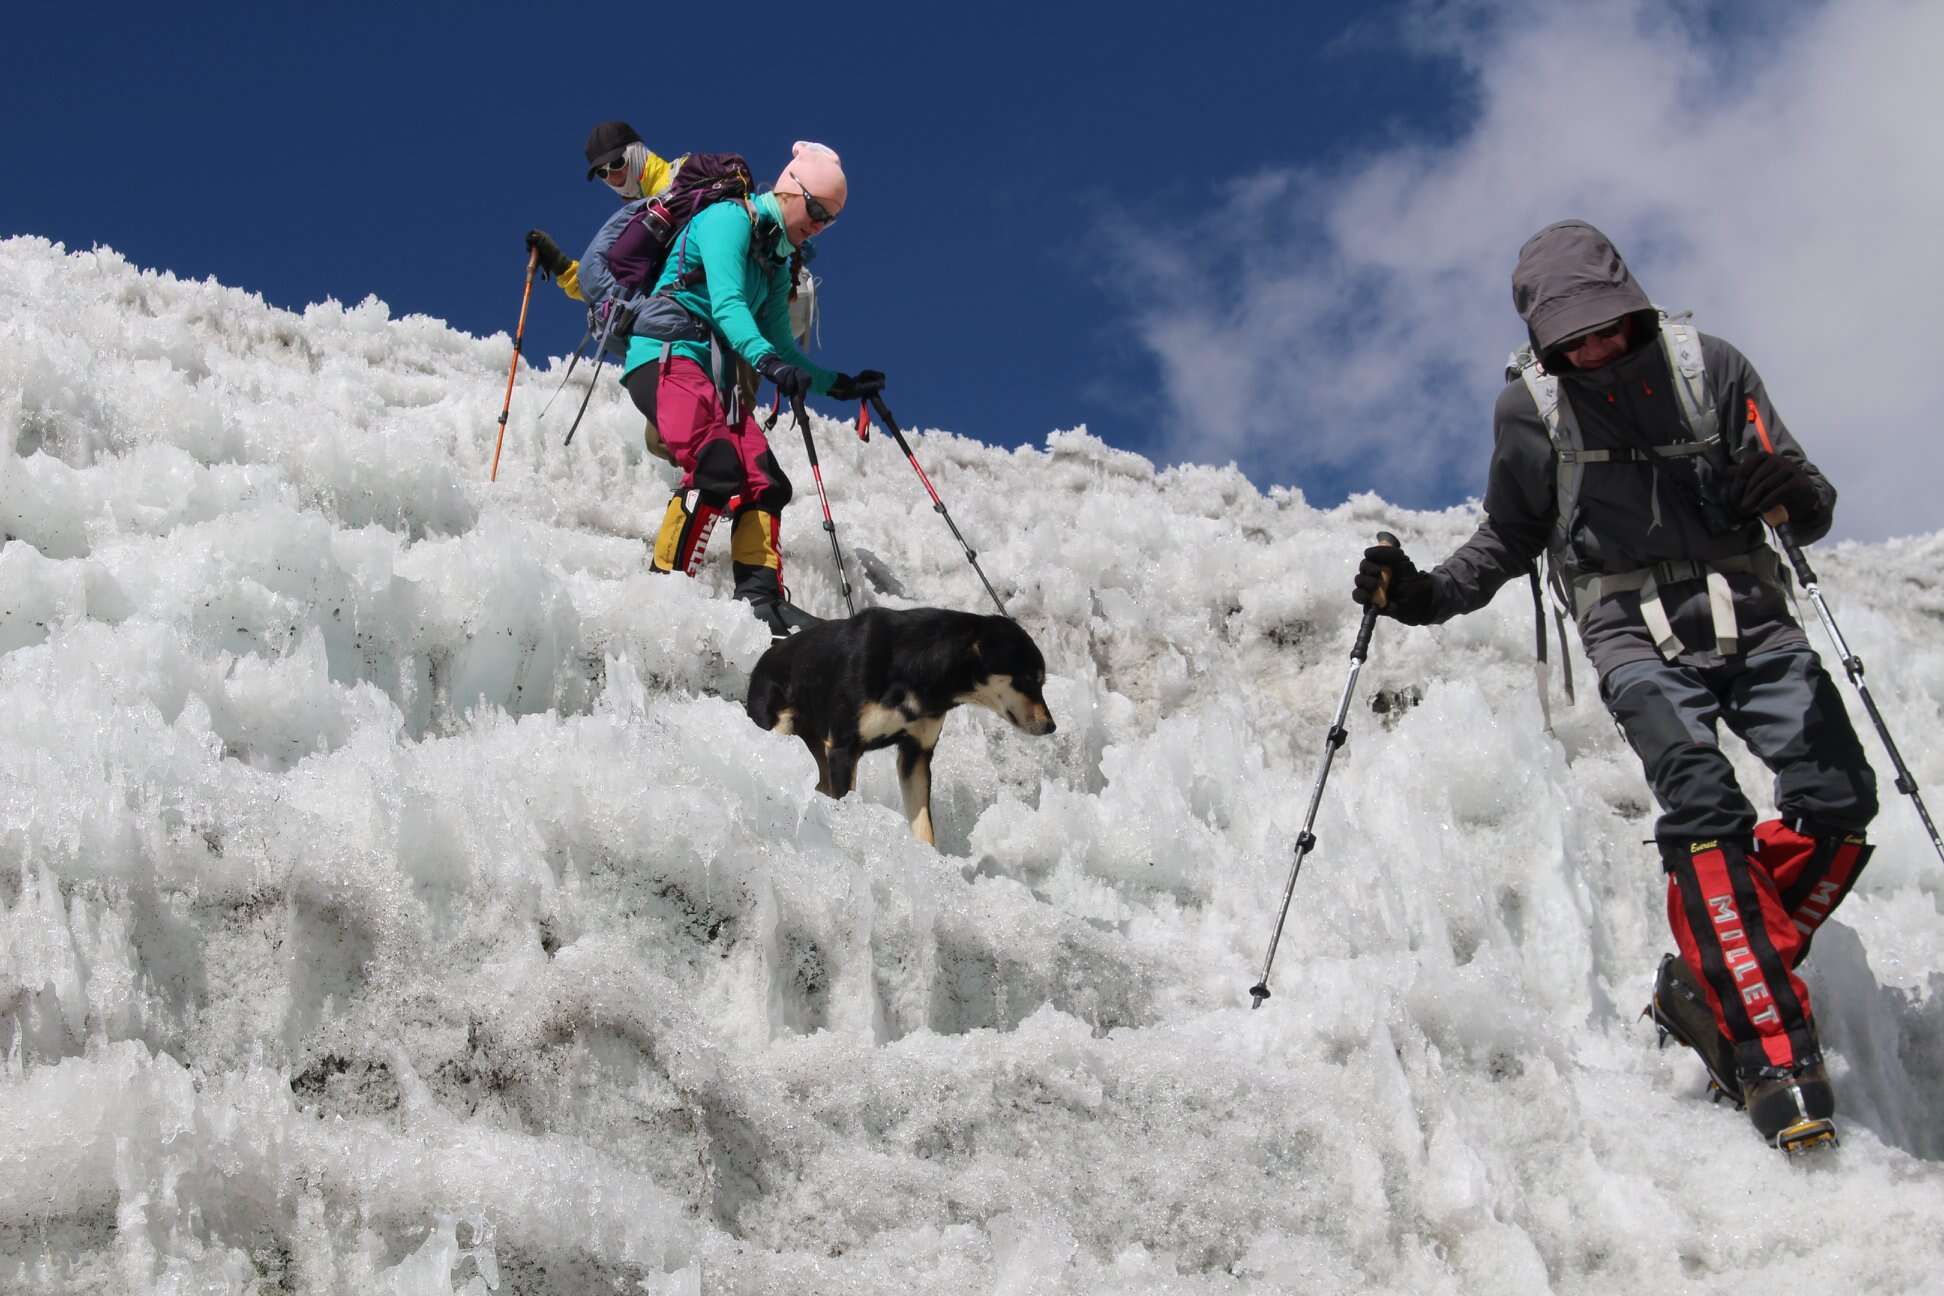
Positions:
{"x": 394, "y": 897}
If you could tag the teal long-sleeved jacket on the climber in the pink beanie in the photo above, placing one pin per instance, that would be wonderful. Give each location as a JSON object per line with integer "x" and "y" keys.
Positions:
{"x": 746, "y": 290}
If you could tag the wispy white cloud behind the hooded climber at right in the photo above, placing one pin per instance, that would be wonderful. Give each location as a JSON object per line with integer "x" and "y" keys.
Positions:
{"x": 1776, "y": 170}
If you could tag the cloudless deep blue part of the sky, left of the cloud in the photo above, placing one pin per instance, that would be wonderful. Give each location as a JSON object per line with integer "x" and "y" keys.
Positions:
{"x": 403, "y": 151}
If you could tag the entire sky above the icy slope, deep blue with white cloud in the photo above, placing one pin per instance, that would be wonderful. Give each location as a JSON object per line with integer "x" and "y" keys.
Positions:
{"x": 1270, "y": 234}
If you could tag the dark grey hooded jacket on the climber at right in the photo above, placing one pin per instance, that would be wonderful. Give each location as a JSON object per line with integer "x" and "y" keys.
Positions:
{"x": 1630, "y": 514}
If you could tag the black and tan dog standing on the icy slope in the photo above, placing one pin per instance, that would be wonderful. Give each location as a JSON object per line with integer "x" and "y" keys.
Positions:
{"x": 887, "y": 679}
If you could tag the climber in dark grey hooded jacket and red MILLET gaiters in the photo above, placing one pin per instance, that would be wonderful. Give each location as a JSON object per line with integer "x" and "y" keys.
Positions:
{"x": 1642, "y": 458}
